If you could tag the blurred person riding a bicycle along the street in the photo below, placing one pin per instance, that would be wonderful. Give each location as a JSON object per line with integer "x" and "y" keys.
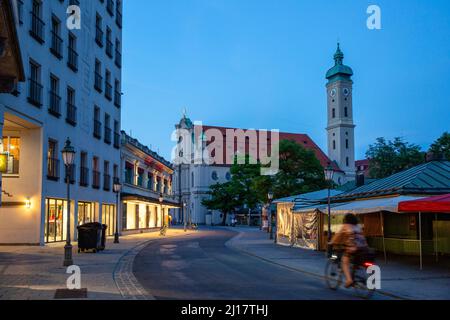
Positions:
{"x": 350, "y": 237}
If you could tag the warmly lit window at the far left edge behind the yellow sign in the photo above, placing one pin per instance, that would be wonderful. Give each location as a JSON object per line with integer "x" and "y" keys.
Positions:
{"x": 10, "y": 155}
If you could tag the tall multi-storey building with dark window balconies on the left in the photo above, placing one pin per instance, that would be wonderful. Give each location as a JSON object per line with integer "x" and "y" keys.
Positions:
{"x": 72, "y": 90}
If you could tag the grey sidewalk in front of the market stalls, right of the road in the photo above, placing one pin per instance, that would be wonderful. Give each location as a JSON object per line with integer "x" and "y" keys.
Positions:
{"x": 401, "y": 276}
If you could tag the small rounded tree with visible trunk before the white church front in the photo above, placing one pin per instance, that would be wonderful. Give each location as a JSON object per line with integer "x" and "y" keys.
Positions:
{"x": 222, "y": 197}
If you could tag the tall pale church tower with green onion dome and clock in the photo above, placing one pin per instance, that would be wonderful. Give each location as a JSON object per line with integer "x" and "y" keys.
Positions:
{"x": 340, "y": 129}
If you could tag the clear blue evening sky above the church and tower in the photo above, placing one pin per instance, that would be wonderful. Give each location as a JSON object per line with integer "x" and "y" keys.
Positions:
{"x": 262, "y": 63}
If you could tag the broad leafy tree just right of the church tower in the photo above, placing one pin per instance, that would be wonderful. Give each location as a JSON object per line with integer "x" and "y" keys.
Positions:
{"x": 390, "y": 157}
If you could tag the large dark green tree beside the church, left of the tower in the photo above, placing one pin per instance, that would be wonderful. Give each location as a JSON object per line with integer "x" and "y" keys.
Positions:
{"x": 300, "y": 171}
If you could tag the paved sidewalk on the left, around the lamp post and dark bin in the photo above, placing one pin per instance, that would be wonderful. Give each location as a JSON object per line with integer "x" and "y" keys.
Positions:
{"x": 35, "y": 273}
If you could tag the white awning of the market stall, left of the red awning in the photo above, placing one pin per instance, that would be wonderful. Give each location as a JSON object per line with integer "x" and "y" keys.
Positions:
{"x": 371, "y": 205}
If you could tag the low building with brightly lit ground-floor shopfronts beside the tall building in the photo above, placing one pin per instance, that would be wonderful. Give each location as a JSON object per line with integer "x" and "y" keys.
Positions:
{"x": 147, "y": 192}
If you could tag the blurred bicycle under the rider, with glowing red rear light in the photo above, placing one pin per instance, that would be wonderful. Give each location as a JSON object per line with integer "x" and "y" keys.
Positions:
{"x": 334, "y": 274}
